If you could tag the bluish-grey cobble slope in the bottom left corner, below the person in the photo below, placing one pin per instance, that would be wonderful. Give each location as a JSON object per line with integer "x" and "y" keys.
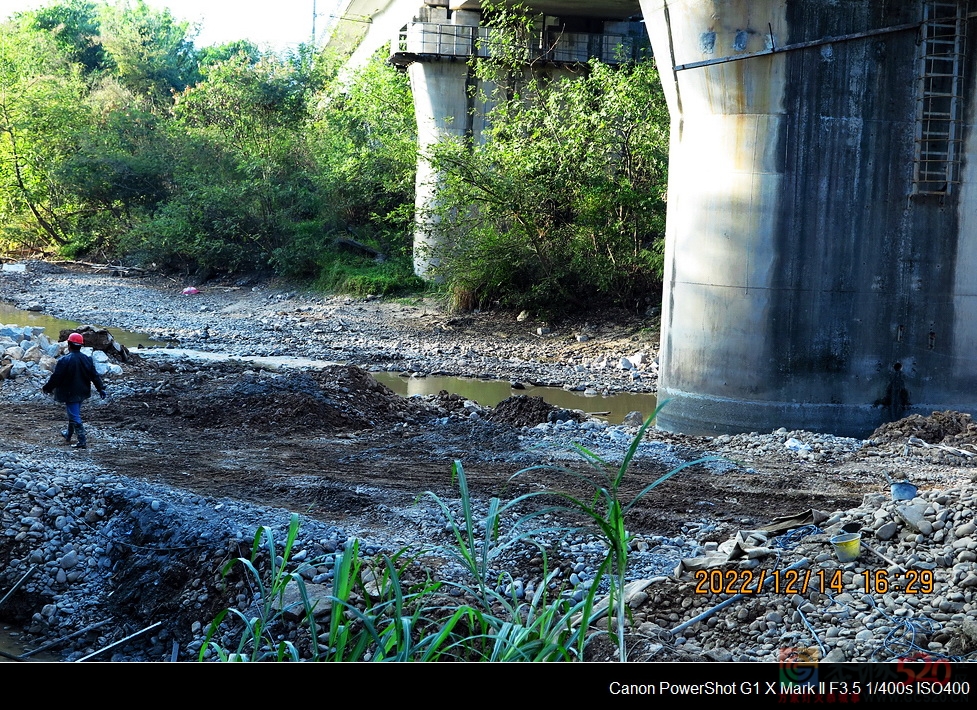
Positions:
{"x": 99, "y": 553}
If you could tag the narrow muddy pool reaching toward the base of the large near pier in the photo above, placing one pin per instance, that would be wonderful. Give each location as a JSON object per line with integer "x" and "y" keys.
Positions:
{"x": 490, "y": 392}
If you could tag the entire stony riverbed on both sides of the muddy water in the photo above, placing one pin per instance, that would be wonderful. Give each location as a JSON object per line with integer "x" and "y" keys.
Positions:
{"x": 187, "y": 458}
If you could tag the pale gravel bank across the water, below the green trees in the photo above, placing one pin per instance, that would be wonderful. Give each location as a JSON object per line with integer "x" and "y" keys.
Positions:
{"x": 264, "y": 320}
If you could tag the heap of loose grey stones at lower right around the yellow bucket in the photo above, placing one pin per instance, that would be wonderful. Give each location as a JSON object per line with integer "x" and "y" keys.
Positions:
{"x": 912, "y": 590}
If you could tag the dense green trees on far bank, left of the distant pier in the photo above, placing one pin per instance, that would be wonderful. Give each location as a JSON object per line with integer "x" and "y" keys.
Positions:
{"x": 119, "y": 138}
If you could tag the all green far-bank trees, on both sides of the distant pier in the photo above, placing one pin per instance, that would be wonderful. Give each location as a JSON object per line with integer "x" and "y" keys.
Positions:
{"x": 120, "y": 139}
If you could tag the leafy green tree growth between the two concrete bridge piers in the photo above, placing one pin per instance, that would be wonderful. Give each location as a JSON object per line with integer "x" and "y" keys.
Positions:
{"x": 561, "y": 203}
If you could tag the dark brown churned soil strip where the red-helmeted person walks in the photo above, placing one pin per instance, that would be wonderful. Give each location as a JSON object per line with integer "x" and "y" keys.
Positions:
{"x": 336, "y": 443}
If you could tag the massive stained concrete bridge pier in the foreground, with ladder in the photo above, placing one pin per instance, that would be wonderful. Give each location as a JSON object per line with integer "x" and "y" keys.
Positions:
{"x": 821, "y": 250}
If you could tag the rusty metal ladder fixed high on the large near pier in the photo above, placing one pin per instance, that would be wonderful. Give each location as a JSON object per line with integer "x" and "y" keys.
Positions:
{"x": 939, "y": 126}
